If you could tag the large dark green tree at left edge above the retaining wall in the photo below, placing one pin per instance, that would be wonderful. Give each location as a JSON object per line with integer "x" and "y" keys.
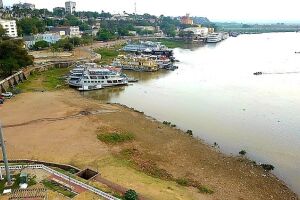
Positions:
{"x": 13, "y": 56}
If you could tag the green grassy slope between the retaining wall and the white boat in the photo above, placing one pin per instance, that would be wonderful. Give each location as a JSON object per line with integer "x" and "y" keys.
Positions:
{"x": 50, "y": 80}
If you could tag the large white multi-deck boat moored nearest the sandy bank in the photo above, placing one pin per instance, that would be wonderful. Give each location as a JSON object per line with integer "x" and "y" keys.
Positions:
{"x": 106, "y": 77}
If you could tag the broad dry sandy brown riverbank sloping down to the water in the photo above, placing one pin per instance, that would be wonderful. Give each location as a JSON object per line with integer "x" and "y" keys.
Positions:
{"x": 50, "y": 126}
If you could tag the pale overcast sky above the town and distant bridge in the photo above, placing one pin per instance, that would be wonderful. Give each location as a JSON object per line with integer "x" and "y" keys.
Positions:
{"x": 216, "y": 10}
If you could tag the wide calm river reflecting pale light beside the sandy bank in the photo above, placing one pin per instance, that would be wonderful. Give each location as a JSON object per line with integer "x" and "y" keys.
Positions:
{"x": 215, "y": 94}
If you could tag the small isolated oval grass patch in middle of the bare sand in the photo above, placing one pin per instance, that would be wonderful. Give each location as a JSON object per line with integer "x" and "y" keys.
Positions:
{"x": 115, "y": 138}
